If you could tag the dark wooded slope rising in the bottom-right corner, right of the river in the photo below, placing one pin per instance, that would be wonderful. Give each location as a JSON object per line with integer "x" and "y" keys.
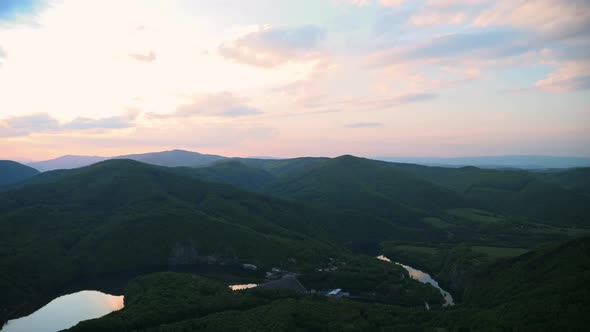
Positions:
{"x": 546, "y": 289}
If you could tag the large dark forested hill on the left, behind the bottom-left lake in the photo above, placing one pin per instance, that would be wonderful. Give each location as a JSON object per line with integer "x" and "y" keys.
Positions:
{"x": 122, "y": 215}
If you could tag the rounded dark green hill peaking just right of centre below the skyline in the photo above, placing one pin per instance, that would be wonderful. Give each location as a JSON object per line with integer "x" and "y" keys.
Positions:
{"x": 349, "y": 182}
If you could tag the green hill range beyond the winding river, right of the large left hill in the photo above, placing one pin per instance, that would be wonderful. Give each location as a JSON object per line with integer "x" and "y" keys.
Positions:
{"x": 368, "y": 201}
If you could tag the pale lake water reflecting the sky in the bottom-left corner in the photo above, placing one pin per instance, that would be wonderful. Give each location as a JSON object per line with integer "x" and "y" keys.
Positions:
{"x": 66, "y": 311}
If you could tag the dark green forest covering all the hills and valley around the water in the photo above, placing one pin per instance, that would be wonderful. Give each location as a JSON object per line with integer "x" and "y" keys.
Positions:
{"x": 510, "y": 245}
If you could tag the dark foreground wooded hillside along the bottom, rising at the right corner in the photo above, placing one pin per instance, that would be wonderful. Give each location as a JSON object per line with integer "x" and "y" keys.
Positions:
{"x": 542, "y": 290}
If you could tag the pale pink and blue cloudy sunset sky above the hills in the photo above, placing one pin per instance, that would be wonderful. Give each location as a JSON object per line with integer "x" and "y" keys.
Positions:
{"x": 288, "y": 78}
